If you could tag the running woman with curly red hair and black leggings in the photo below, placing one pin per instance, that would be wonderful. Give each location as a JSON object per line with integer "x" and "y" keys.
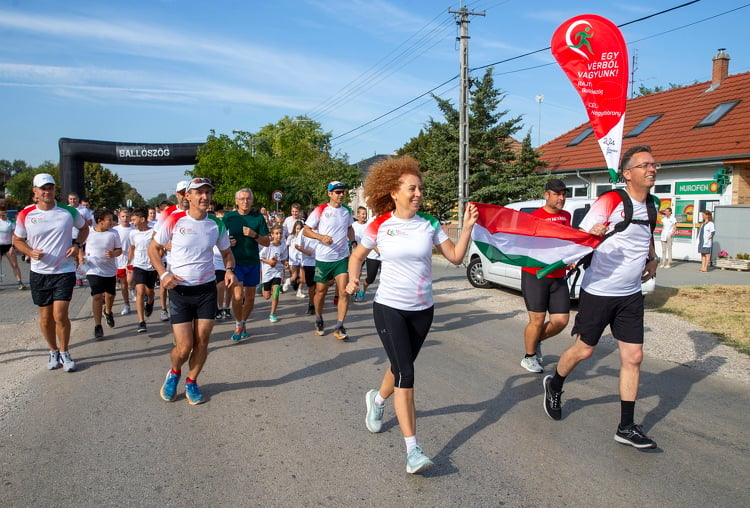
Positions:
{"x": 403, "y": 305}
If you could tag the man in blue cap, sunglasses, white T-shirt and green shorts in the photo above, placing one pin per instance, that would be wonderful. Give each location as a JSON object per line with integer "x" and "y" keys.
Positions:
{"x": 331, "y": 225}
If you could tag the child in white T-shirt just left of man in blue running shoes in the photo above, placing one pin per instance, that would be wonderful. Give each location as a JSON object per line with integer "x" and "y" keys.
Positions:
{"x": 144, "y": 275}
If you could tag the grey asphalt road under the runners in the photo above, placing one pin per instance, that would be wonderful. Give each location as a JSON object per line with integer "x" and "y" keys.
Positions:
{"x": 284, "y": 423}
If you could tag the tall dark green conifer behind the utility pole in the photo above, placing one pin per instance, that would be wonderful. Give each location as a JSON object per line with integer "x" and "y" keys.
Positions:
{"x": 498, "y": 172}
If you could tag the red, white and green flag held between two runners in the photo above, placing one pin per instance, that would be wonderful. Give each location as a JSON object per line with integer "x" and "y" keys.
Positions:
{"x": 517, "y": 238}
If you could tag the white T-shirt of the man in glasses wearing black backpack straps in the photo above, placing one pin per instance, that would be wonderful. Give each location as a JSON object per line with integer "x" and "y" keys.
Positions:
{"x": 618, "y": 262}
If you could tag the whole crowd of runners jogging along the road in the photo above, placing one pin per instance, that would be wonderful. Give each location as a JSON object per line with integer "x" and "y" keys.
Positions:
{"x": 210, "y": 265}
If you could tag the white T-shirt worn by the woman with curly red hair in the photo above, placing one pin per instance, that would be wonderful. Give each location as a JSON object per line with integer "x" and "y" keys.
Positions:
{"x": 406, "y": 253}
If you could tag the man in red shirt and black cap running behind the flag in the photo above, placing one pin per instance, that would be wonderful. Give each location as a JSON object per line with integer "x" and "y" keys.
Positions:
{"x": 549, "y": 293}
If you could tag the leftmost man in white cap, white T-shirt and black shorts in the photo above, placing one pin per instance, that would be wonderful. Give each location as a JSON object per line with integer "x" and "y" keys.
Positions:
{"x": 44, "y": 233}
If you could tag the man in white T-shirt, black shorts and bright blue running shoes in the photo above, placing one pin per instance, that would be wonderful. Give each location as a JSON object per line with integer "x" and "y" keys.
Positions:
{"x": 191, "y": 281}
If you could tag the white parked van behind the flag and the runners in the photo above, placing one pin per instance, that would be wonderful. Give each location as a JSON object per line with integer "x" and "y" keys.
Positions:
{"x": 483, "y": 273}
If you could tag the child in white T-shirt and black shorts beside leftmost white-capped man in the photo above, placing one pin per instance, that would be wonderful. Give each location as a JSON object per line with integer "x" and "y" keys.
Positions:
{"x": 102, "y": 250}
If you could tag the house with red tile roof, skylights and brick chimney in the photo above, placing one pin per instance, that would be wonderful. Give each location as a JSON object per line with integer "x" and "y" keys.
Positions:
{"x": 699, "y": 133}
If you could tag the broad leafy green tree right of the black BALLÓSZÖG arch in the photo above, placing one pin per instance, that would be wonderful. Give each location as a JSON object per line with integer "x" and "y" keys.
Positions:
{"x": 291, "y": 155}
